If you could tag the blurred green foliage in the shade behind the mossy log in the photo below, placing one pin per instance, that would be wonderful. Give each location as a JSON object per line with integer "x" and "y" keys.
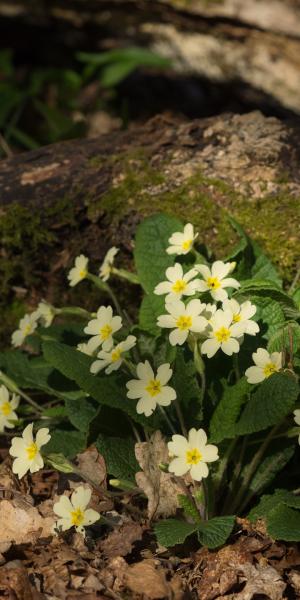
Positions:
{"x": 40, "y": 105}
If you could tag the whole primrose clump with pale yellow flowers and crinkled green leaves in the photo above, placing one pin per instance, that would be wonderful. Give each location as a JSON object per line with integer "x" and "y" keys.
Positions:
{"x": 209, "y": 359}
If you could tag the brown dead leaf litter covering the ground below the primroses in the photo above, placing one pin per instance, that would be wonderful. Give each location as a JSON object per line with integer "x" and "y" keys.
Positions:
{"x": 119, "y": 558}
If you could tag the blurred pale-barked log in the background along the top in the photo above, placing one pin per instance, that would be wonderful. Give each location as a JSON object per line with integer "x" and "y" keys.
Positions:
{"x": 254, "y": 43}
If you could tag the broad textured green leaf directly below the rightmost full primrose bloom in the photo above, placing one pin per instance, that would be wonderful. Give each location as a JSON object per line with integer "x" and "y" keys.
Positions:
{"x": 270, "y": 403}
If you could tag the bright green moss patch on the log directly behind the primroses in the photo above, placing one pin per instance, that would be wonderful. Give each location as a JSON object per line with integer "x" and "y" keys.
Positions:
{"x": 206, "y": 202}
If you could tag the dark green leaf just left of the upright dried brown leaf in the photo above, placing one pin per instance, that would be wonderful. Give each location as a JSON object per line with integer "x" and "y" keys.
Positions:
{"x": 119, "y": 456}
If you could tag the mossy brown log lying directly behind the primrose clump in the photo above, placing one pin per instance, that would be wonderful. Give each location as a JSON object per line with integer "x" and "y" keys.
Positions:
{"x": 84, "y": 196}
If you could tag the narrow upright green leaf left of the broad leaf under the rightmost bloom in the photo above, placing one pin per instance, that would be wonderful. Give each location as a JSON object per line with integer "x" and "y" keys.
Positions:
{"x": 222, "y": 425}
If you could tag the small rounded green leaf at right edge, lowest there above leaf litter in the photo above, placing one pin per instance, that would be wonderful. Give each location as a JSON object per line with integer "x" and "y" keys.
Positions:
{"x": 283, "y": 523}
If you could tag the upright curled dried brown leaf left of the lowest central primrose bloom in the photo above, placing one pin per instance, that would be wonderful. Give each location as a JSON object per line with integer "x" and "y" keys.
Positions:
{"x": 159, "y": 487}
